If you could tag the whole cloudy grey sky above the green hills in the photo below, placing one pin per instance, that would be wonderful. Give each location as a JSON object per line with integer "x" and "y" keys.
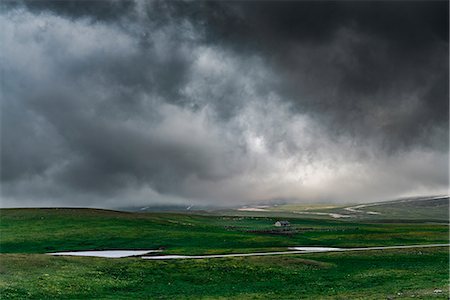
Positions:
{"x": 222, "y": 103}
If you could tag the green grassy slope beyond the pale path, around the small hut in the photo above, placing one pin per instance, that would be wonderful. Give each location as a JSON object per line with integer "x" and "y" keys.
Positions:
{"x": 46, "y": 230}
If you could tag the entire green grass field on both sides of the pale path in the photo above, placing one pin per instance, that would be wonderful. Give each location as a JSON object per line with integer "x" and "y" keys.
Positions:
{"x": 28, "y": 274}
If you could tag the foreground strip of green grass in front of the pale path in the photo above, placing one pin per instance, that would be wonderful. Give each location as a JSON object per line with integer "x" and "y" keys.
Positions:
{"x": 371, "y": 275}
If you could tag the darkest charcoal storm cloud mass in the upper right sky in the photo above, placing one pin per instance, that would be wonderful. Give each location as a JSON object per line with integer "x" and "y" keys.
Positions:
{"x": 344, "y": 60}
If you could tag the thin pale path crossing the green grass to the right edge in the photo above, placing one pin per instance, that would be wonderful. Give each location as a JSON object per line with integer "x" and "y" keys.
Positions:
{"x": 292, "y": 252}
